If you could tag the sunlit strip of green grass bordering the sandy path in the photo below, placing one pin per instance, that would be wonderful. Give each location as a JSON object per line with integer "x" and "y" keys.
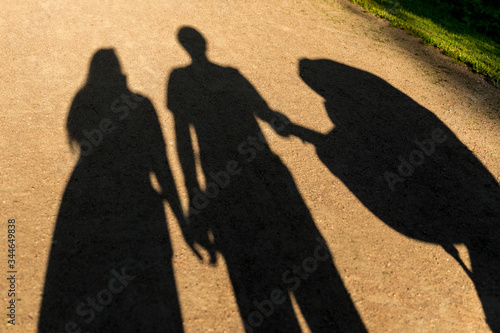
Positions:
{"x": 430, "y": 21}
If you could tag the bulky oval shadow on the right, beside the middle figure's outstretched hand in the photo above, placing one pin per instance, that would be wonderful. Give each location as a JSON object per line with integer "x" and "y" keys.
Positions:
{"x": 408, "y": 169}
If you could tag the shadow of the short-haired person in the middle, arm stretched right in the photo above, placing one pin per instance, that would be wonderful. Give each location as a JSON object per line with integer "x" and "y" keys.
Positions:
{"x": 249, "y": 209}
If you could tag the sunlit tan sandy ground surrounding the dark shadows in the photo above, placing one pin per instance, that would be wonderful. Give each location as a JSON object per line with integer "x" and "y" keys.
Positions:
{"x": 397, "y": 284}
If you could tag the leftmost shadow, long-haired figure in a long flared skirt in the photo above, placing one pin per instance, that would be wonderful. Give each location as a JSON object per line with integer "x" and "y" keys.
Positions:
{"x": 110, "y": 265}
